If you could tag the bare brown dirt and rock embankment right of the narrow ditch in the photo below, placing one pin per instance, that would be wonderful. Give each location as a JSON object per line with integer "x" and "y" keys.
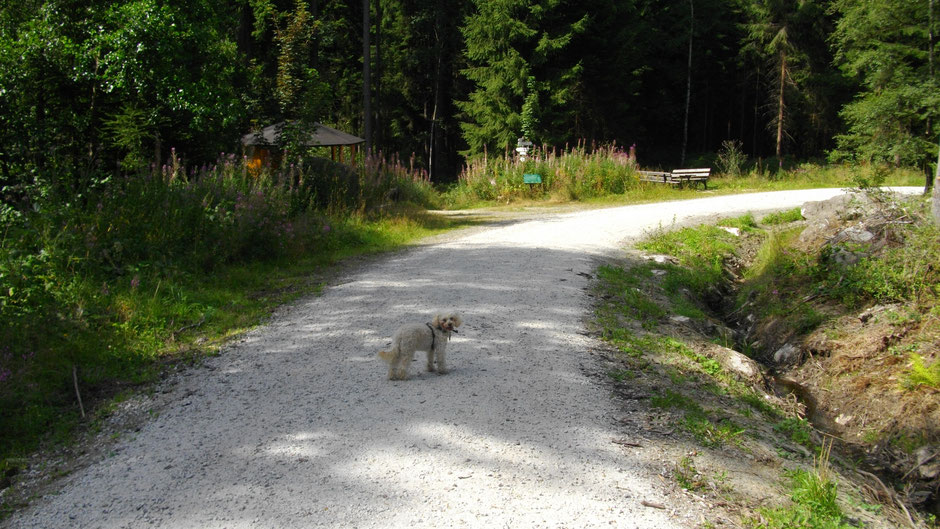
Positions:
{"x": 852, "y": 373}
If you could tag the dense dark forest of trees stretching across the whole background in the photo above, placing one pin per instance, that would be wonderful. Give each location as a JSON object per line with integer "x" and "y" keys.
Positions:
{"x": 93, "y": 88}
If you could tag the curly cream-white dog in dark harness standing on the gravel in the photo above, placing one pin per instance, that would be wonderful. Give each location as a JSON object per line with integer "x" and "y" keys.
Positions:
{"x": 431, "y": 337}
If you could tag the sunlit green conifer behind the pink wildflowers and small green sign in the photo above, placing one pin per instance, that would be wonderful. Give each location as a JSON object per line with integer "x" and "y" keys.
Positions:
{"x": 523, "y": 80}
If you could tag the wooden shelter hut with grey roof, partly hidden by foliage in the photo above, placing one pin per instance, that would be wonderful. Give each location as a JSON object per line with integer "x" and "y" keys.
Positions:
{"x": 262, "y": 146}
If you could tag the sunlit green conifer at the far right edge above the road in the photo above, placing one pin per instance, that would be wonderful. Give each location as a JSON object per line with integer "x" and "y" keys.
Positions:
{"x": 886, "y": 46}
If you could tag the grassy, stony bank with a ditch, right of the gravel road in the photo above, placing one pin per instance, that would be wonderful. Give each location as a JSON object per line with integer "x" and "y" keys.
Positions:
{"x": 656, "y": 316}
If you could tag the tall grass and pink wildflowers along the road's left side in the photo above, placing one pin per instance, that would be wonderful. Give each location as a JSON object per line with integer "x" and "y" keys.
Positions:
{"x": 95, "y": 288}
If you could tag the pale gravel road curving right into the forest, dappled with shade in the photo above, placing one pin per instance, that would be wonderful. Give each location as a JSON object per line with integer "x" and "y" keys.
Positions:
{"x": 295, "y": 424}
